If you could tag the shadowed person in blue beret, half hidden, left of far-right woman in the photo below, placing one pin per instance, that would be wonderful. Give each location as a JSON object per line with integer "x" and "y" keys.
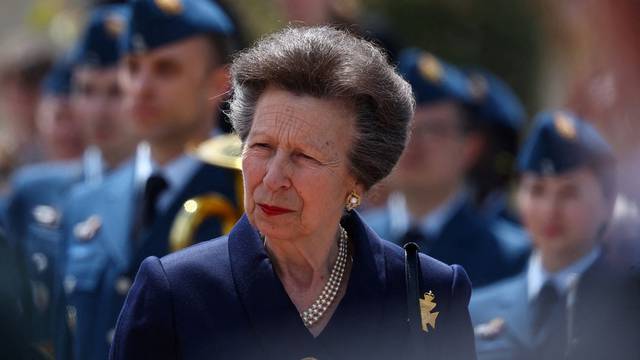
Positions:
{"x": 500, "y": 118}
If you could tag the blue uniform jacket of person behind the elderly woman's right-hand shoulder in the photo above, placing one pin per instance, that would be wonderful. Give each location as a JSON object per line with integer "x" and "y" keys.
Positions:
{"x": 465, "y": 239}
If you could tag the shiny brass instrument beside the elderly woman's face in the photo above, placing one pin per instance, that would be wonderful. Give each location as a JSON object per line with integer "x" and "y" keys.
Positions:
{"x": 224, "y": 151}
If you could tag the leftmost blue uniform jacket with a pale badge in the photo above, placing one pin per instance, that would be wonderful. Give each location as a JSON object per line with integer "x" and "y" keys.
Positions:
{"x": 34, "y": 214}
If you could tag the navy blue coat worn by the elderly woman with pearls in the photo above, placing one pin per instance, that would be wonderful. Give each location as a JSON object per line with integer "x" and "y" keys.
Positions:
{"x": 223, "y": 300}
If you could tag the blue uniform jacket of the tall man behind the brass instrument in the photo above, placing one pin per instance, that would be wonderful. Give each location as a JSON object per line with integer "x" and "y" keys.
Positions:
{"x": 101, "y": 255}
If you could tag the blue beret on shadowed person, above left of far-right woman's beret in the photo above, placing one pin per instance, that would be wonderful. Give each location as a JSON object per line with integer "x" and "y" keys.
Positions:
{"x": 496, "y": 103}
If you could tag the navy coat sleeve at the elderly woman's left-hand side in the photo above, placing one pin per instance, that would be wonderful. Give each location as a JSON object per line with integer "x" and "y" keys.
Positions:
{"x": 146, "y": 326}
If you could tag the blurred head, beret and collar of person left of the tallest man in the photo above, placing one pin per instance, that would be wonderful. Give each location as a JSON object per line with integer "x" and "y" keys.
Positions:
{"x": 97, "y": 97}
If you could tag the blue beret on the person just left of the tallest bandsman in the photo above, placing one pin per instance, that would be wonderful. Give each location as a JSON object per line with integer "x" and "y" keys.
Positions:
{"x": 99, "y": 45}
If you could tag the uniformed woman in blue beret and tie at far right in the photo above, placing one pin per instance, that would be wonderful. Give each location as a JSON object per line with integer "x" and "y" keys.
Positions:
{"x": 570, "y": 303}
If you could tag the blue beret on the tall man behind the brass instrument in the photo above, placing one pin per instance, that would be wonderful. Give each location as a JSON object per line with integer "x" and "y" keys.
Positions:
{"x": 156, "y": 23}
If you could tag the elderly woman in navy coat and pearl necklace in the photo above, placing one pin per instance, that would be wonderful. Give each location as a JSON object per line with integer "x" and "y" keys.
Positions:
{"x": 322, "y": 117}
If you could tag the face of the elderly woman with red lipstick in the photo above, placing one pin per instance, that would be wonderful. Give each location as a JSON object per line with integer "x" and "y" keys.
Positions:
{"x": 295, "y": 165}
